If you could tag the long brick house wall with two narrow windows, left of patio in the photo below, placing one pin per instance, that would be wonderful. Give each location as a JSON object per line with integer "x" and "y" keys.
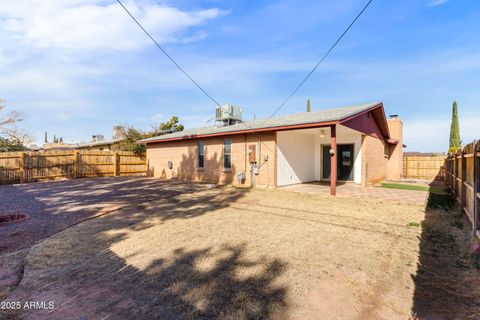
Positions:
{"x": 183, "y": 155}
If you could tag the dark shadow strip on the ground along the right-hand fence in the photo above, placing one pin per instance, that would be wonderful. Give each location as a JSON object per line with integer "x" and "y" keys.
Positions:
{"x": 447, "y": 282}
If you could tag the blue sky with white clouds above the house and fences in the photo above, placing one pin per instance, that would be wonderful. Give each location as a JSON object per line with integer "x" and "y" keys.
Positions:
{"x": 76, "y": 68}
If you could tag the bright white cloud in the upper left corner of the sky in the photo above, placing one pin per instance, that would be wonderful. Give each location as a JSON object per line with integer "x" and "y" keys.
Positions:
{"x": 93, "y": 25}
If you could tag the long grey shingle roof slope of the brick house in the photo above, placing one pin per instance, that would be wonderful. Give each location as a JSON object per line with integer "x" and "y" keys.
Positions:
{"x": 295, "y": 119}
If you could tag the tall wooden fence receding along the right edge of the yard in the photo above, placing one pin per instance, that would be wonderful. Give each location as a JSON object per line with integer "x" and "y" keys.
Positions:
{"x": 463, "y": 178}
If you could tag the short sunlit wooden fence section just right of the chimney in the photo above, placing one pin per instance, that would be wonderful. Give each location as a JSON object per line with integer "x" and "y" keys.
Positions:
{"x": 424, "y": 167}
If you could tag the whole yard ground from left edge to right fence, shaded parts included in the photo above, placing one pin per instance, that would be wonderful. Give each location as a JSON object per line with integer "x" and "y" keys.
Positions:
{"x": 205, "y": 253}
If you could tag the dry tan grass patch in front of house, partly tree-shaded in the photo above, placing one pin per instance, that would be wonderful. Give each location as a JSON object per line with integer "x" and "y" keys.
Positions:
{"x": 233, "y": 254}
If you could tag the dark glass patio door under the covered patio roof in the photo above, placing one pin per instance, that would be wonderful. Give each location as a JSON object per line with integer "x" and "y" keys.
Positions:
{"x": 344, "y": 162}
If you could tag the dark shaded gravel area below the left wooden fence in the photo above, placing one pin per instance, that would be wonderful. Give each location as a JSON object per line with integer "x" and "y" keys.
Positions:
{"x": 53, "y": 206}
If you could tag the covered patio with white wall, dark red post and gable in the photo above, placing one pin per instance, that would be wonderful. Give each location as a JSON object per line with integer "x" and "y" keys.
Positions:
{"x": 335, "y": 152}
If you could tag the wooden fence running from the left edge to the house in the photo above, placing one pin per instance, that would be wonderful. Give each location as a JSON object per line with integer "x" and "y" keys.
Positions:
{"x": 32, "y": 166}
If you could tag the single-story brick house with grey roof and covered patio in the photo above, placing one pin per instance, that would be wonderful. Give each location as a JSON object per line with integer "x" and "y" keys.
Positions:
{"x": 355, "y": 144}
